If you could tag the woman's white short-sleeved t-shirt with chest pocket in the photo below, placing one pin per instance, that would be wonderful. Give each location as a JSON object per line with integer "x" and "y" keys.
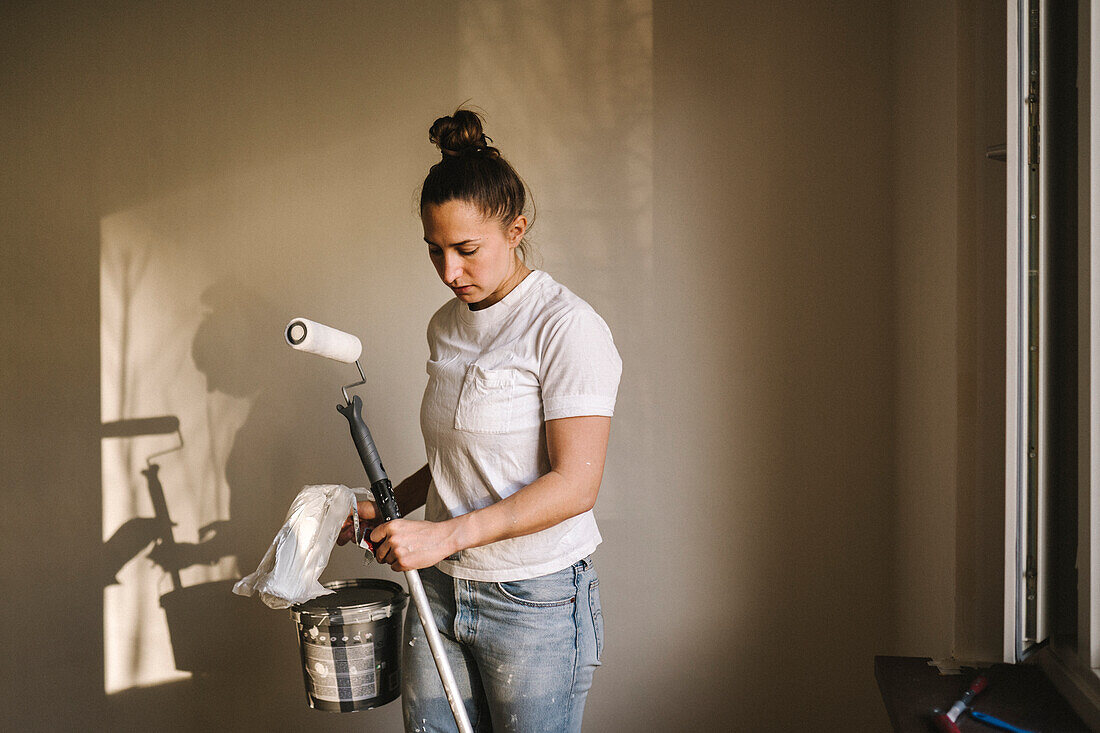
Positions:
{"x": 496, "y": 376}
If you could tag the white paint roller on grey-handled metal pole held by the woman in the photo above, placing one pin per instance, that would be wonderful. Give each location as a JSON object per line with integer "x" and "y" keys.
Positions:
{"x": 322, "y": 341}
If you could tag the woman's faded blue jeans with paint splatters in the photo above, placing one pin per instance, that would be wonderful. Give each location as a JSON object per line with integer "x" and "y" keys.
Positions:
{"x": 523, "y": 653}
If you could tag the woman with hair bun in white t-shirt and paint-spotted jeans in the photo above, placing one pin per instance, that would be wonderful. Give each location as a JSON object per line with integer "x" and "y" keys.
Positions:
{"x": 522, "y": 384}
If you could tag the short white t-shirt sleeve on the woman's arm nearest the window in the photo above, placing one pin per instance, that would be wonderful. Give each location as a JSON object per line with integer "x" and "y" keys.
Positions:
{"x": 580, "y": 367}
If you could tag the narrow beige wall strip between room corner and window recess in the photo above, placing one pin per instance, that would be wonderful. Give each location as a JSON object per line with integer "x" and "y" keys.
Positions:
{"x": 925, "y": 106}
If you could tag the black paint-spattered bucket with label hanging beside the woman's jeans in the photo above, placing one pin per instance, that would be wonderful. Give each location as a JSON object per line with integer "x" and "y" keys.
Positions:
{"x": 350, "y": 643}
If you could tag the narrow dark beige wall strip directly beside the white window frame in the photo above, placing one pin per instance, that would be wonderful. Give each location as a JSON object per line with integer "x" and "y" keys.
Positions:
{"x": 980, "y": 565}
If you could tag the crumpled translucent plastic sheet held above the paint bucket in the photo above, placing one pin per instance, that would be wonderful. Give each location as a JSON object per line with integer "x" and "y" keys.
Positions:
{"x": 290, "y": 571}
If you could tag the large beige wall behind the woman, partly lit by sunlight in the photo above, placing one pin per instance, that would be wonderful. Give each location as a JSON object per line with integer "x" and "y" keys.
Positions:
{"x": 762, "y": 199}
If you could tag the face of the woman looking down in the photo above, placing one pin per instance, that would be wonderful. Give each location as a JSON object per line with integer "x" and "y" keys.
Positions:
{"x": 474, "y": 256}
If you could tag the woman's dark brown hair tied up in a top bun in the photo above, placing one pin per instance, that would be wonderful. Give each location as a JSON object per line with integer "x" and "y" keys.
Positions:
{"x": 471, "y": 170}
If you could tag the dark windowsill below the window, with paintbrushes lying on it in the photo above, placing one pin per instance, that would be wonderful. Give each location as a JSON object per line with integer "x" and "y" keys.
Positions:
{"x": 1020, "y": 695}
